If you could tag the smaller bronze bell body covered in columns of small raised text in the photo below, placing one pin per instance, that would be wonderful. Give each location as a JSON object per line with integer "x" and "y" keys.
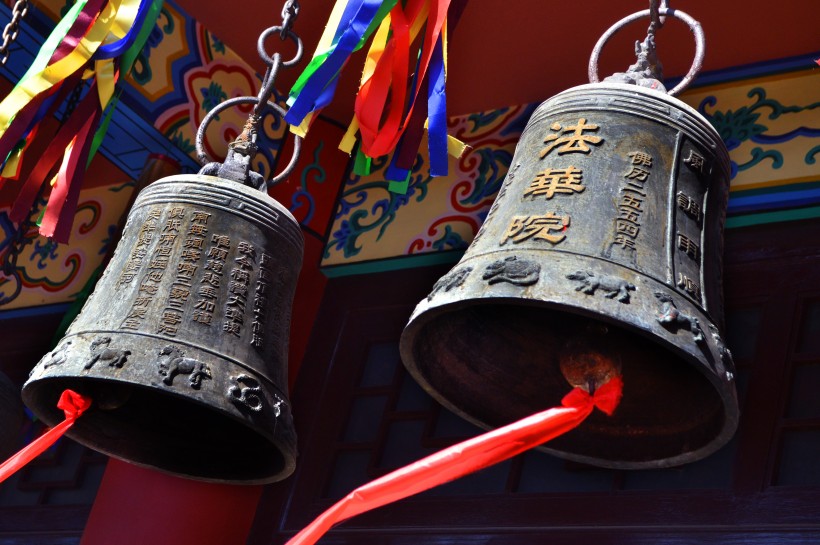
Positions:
{"x": 183, "y": 344}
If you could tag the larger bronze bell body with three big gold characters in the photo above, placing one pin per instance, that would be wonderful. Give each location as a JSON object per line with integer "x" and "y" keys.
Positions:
{"x": 601, "y": 255}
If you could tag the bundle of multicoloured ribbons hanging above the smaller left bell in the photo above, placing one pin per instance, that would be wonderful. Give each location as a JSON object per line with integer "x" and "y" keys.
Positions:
{"x": 97, "y": 39}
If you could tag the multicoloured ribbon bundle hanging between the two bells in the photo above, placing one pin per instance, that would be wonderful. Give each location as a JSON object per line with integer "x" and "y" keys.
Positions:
{"x": 386, "y": 109}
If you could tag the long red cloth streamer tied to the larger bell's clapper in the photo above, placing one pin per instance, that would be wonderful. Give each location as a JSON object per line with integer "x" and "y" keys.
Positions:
{"x": 466, "y": 457}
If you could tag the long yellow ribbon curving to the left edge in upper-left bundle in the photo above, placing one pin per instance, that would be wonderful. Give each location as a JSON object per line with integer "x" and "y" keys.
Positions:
{"x": 37, "y": 83}
